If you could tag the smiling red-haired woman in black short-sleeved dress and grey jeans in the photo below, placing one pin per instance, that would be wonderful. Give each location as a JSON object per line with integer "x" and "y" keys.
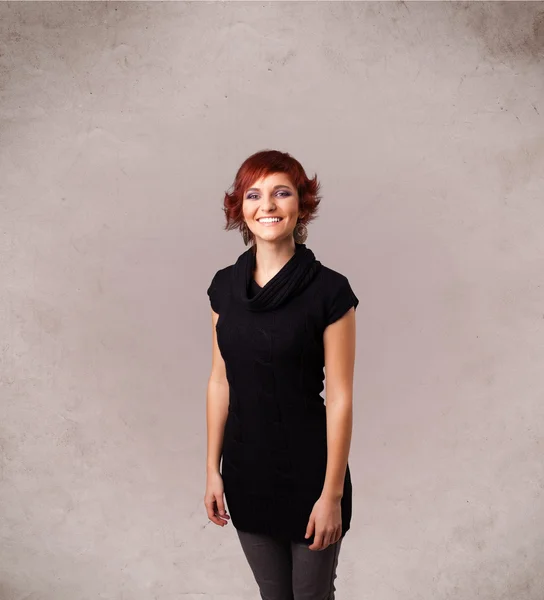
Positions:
{"x": 279, "y": 317}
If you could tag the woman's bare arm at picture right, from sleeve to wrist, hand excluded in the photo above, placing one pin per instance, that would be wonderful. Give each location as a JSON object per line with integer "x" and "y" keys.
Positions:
{"x": 339, "y": 342}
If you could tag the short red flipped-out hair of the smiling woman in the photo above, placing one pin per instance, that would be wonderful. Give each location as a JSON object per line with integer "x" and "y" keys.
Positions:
{"x": 262, "y": 164}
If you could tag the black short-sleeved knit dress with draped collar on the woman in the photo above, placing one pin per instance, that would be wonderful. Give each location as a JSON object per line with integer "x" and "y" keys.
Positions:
{"x": 275, "y": 440}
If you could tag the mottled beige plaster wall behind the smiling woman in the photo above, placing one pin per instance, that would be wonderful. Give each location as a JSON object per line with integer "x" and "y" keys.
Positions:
{"x": 121, "y": 127}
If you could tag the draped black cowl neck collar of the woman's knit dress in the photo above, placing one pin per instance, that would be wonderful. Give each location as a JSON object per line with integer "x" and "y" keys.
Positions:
{"x": 290, "y": 280}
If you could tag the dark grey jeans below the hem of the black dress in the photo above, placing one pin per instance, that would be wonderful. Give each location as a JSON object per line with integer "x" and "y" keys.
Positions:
{"x": 286, "y": 570}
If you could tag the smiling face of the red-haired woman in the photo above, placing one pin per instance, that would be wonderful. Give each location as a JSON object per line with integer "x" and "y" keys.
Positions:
{"x": 271, "y": 196}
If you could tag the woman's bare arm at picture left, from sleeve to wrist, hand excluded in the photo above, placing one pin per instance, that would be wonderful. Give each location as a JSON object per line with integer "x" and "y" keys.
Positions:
{"x": 217, "y": 403}
